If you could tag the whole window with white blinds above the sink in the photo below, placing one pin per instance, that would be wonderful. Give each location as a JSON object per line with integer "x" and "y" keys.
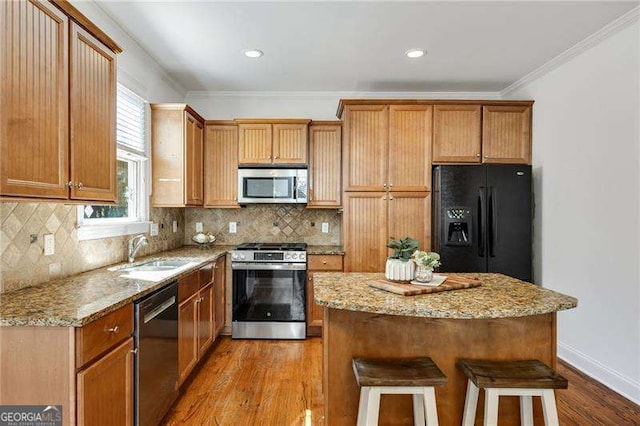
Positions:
{"x": 130, "y": 215}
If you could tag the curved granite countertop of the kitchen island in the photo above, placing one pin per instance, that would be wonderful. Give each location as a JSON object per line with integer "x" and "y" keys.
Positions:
{"x": 499, "y": 296}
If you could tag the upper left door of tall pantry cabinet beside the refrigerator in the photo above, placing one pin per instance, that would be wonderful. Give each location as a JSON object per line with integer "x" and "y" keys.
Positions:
{"x": 365, "y": 147}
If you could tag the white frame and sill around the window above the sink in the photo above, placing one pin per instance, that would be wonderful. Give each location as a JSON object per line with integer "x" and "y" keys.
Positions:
{"x": 89, "y": 229}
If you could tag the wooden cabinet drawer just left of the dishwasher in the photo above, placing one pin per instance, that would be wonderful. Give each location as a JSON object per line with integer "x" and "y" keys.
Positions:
{"x": 97, "y": 337}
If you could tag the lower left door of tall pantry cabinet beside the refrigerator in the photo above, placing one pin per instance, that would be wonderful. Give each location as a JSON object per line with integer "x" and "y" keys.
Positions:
{"x": 365, "y": 231}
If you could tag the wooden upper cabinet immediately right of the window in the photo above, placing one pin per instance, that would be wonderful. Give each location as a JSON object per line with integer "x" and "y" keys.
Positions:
{"x": 177, "y": 134}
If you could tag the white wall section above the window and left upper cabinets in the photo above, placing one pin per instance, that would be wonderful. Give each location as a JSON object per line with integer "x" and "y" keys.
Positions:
{"x": 136, "y": 68}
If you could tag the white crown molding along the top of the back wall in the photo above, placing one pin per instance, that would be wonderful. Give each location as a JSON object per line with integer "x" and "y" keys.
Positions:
{"x": 344, "y": 94}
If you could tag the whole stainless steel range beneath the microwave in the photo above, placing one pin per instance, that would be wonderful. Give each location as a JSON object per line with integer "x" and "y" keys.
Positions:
{"x": 269, "y": 291}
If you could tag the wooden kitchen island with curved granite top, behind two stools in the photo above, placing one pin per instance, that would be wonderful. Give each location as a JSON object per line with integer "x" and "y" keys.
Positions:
{"x": 504, "y": 319}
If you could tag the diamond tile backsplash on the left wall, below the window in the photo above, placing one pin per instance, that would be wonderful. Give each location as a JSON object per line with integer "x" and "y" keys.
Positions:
{"x": 23, "y": 263}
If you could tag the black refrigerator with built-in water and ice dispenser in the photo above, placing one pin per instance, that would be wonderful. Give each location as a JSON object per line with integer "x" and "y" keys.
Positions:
{"x": 482, "y": 218}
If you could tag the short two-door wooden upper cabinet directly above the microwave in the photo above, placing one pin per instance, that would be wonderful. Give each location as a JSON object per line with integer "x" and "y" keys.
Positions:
{"x": 272, "y": 141}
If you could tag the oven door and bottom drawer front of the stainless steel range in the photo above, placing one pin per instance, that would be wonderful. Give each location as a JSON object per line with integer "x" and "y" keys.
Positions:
{"x": 269, "y": 300}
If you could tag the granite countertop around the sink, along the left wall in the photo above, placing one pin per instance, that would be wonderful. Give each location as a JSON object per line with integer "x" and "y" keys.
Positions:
{"x": 79, "y": 299}
